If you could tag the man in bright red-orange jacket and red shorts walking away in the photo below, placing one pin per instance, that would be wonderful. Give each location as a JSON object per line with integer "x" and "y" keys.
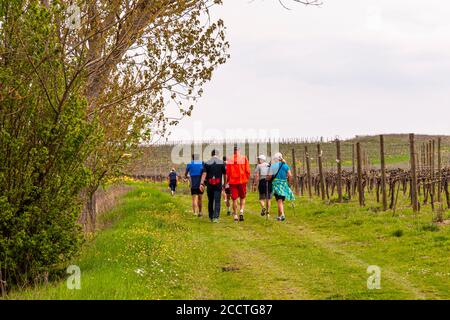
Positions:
{"x": 238, "y": 173}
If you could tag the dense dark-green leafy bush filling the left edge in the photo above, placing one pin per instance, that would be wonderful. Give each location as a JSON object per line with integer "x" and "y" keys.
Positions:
{"x": 44, "y": 140}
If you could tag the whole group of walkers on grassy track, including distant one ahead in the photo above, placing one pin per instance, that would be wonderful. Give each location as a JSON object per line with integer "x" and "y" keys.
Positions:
{"x": 229, "y": 177}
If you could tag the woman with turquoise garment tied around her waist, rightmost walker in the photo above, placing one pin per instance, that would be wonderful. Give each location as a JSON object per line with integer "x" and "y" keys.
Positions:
{"x": 280, "y": 174}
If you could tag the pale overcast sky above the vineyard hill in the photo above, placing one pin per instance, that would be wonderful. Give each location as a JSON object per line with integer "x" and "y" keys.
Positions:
{"x": 349, "y": 67}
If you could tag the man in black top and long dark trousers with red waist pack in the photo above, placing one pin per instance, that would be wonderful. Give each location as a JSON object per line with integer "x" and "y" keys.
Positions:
{"x": 214, "y": 174}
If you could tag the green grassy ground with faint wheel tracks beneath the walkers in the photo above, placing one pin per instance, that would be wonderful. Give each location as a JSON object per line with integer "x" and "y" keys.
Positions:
{"x": 152, "y": 247}
